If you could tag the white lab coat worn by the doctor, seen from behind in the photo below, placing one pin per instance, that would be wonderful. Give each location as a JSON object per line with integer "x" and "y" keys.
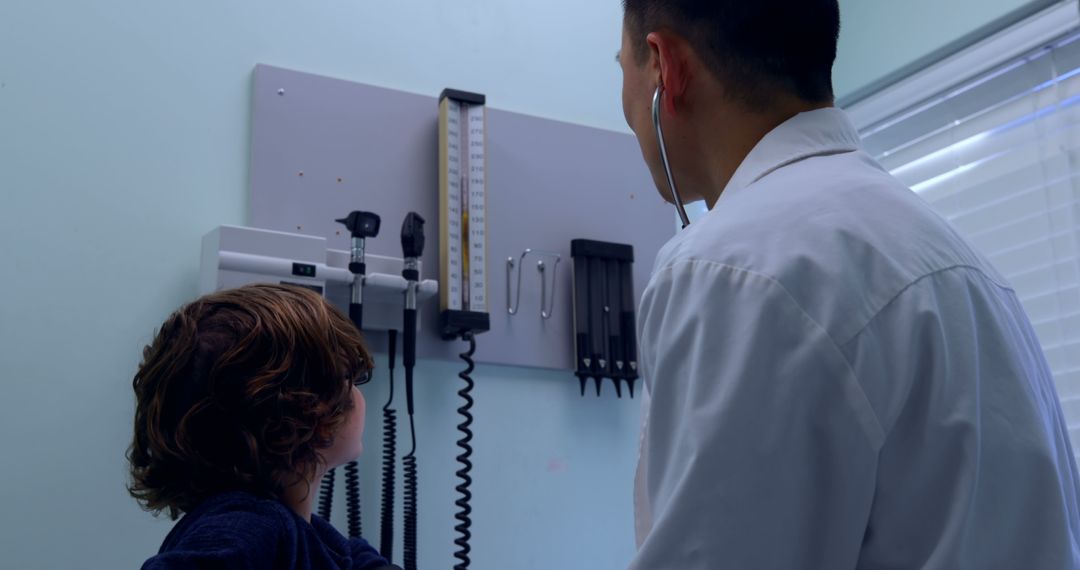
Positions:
{"x": 838, "y": 382}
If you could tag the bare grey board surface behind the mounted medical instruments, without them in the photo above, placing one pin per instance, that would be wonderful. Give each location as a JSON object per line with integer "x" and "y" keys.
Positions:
{"x": 549, "y": 183}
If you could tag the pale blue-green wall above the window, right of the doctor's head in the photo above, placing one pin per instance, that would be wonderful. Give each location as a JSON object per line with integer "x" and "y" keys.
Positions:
{"x": 881, "y": 37}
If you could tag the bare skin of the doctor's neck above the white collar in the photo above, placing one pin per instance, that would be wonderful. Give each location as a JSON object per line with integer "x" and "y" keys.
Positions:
{"x": 719, "y": 132}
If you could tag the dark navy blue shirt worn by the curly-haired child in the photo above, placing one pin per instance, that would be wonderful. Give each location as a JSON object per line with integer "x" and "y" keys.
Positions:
{"x": 238, "y": 531}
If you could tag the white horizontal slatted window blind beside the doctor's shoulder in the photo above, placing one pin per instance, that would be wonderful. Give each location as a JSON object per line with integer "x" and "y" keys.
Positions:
{"x": 1000, "y": 157}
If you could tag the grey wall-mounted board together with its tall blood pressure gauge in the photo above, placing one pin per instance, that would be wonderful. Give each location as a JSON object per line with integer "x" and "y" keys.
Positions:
{"x": 491, "y": 185}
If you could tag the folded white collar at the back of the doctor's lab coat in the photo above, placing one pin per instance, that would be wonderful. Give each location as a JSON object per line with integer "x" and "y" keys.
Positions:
{"x": 809, "y": 134}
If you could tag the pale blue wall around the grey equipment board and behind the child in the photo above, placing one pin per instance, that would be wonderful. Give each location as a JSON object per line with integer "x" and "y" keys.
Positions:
{"x": 124, "y": 140}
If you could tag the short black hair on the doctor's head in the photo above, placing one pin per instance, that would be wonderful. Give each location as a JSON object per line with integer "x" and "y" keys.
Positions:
{"x": 758, "y": 48}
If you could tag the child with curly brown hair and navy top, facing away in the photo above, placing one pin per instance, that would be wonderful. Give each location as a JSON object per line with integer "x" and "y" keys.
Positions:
{"x": 245, "y": 400}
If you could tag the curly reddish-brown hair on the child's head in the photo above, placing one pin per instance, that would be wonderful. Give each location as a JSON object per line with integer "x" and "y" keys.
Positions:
{"x": 240, "y": 390}
